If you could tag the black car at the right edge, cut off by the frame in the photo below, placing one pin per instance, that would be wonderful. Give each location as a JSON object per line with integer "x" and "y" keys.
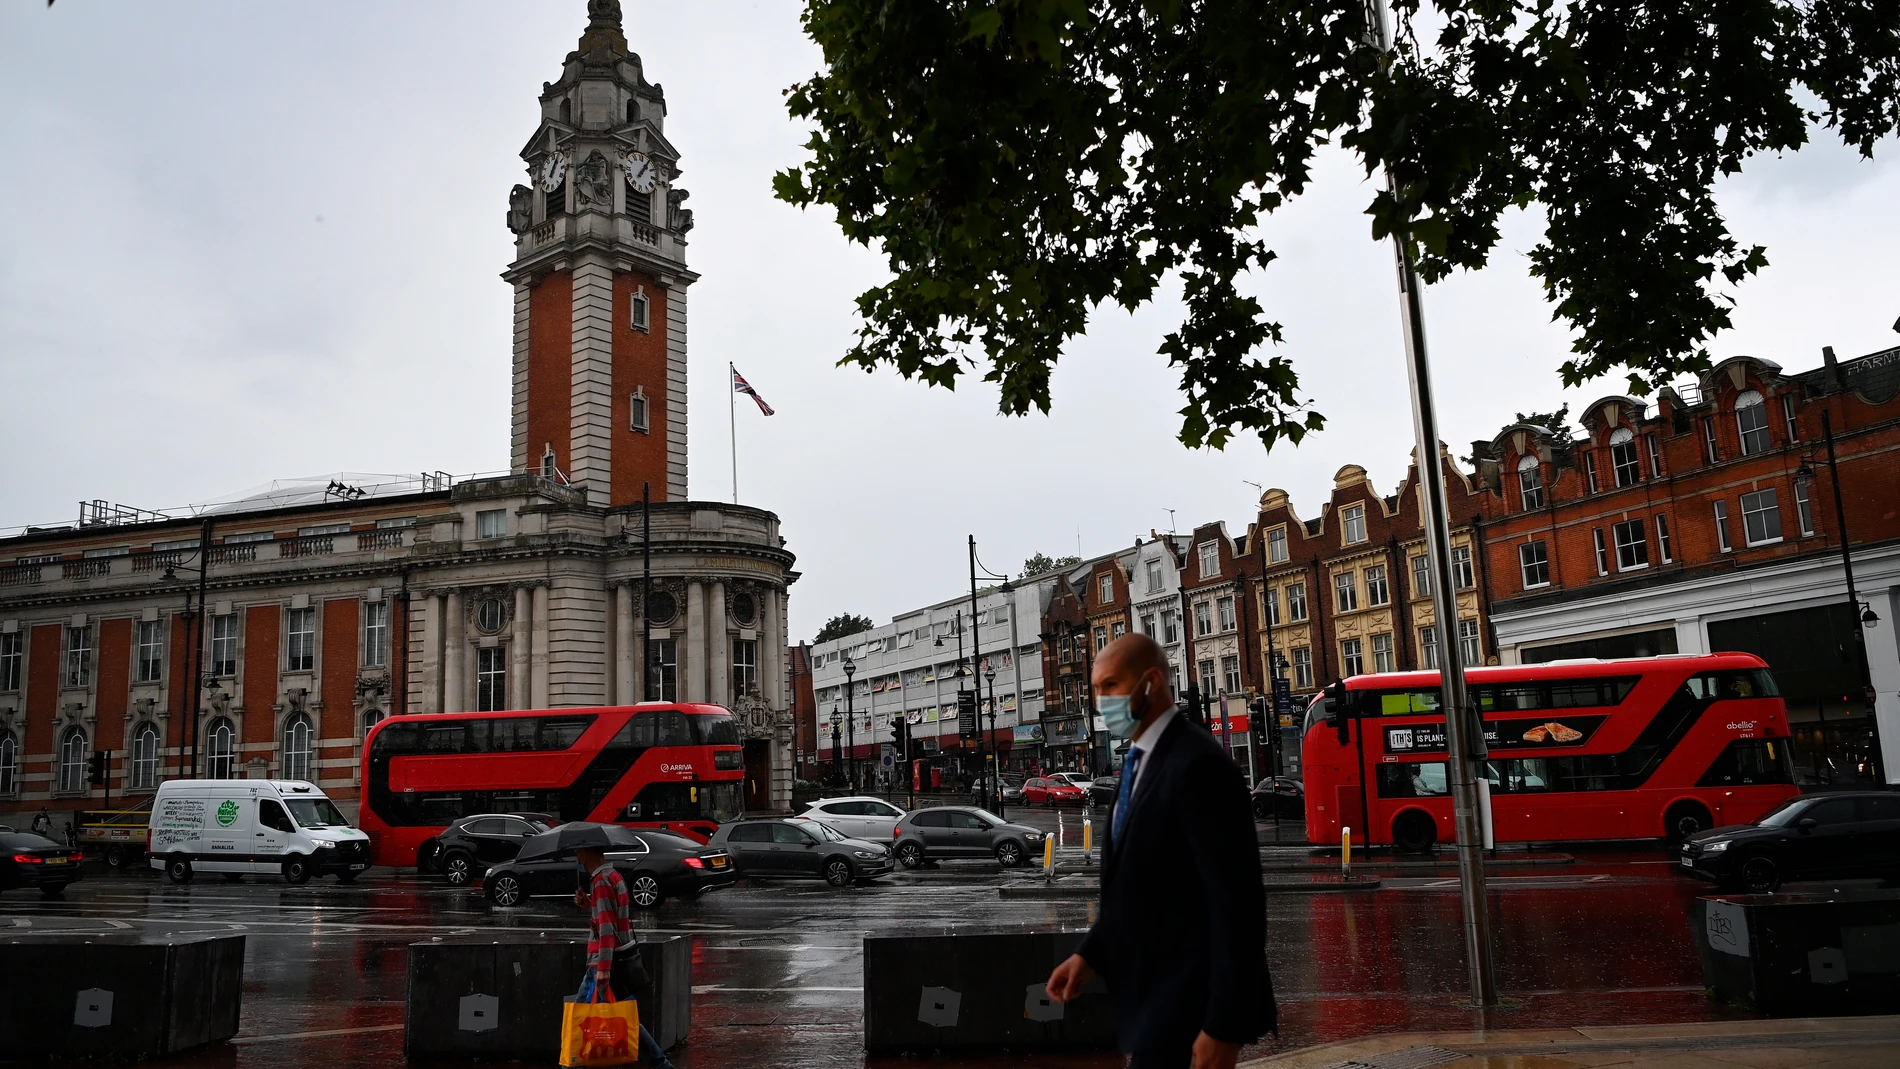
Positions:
{"x": 1815, "y": 836}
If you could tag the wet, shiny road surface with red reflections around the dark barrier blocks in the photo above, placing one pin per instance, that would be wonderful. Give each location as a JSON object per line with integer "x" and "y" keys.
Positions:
{"x": 778, "y": 966}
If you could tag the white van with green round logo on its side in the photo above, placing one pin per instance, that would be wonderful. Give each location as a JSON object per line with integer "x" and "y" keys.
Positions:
{"x": 252, "y": 827}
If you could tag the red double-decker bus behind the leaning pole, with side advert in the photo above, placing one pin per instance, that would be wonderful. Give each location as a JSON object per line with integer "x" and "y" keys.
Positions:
{"x": 1578, "y": 751}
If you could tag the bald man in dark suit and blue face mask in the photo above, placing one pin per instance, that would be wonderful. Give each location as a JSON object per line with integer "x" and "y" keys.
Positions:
{"x": 1183, "y": 931}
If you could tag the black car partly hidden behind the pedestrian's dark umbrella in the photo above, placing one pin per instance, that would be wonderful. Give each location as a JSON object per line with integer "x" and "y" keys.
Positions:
{"x": 656, "y": 865}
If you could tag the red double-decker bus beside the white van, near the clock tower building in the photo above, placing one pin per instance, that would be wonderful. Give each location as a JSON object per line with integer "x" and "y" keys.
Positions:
{"x": 656, "y": 766}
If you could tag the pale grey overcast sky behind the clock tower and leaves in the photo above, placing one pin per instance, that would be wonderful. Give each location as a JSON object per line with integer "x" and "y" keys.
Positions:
{"x": 261, "y": 240}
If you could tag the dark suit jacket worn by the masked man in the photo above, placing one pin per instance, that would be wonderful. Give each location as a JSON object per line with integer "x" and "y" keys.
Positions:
{"x": 1183, "y": 931}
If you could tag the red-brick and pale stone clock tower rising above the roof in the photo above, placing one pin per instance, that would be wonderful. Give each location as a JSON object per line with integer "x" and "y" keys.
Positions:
{"x": 601, "y": 280}
